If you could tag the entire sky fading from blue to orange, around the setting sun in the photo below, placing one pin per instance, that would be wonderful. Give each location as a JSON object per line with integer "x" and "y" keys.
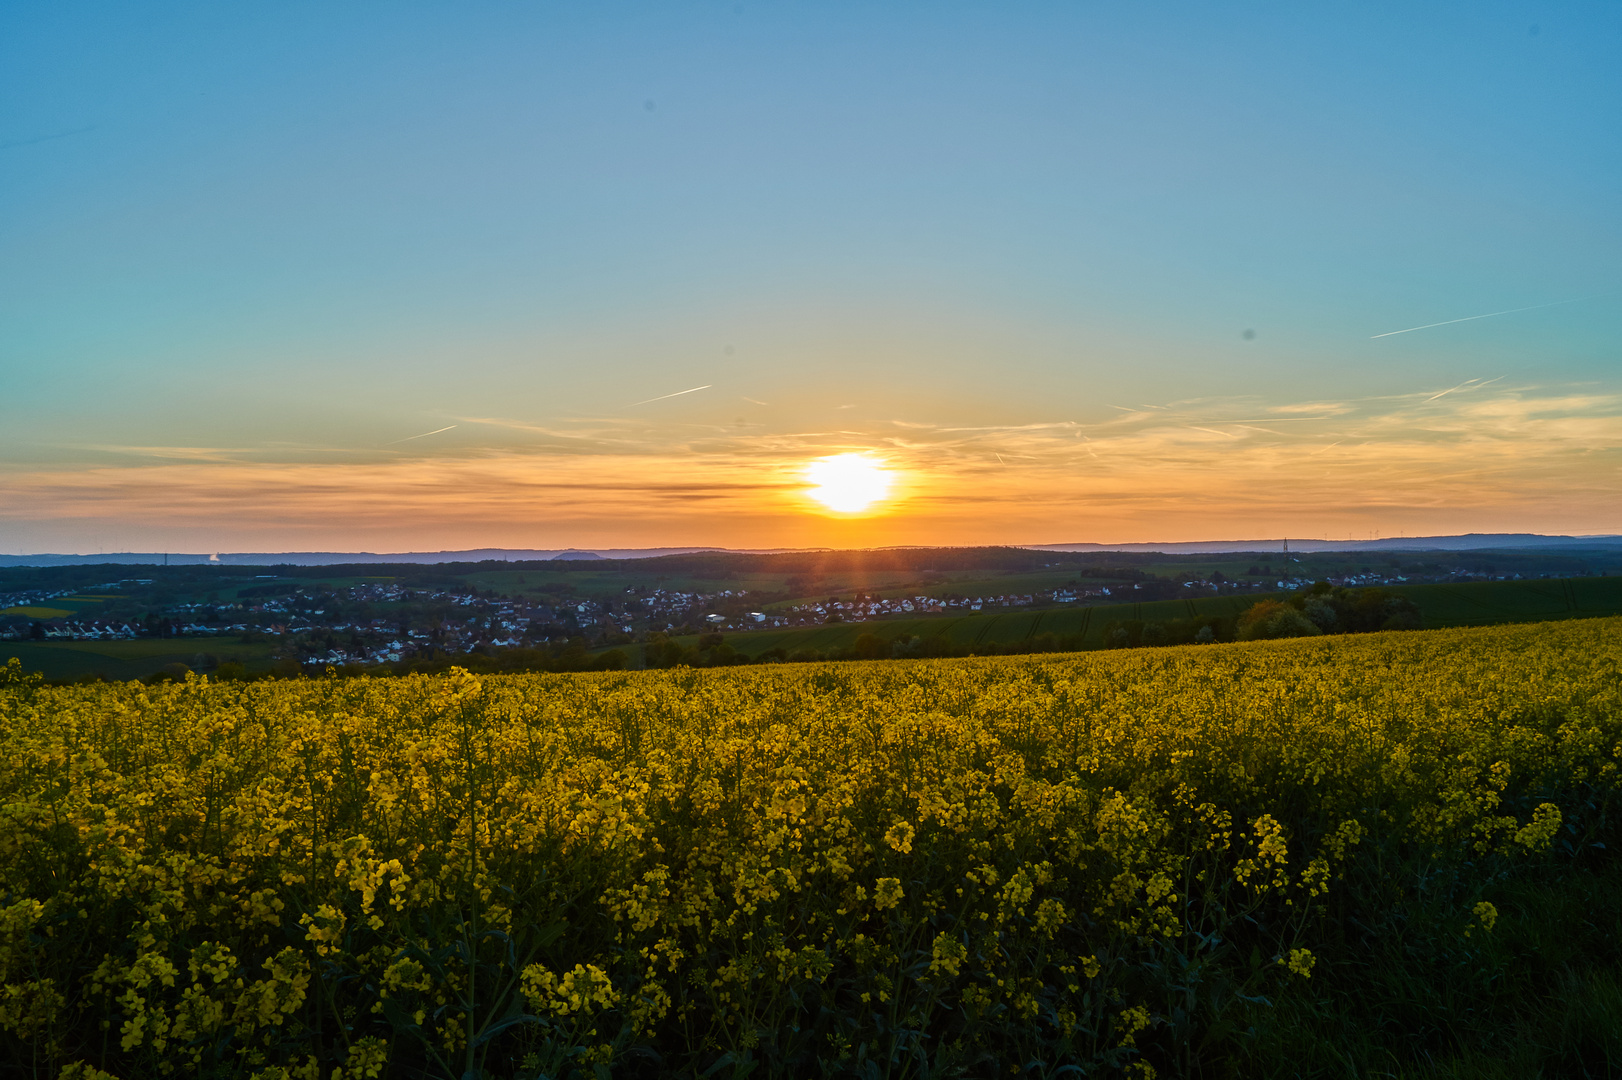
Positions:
{"x": 427, "y": 276}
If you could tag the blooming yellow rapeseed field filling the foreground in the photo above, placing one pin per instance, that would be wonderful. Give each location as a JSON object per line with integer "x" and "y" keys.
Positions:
{"x": 1118, "y": 862}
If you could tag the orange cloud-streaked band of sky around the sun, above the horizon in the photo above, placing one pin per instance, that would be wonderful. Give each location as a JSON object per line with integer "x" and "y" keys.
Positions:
{"x": 1485, "y": 458}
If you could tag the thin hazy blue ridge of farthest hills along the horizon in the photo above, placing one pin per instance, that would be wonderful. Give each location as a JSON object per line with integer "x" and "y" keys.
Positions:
{"x": 1464, "y": 542}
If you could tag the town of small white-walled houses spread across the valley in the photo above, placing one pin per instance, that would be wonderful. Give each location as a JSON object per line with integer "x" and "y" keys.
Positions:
{"x": 388, "y": 622}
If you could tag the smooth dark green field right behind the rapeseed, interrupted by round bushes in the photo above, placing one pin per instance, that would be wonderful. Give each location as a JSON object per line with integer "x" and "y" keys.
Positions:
{"x": 1470, "y": 604}
